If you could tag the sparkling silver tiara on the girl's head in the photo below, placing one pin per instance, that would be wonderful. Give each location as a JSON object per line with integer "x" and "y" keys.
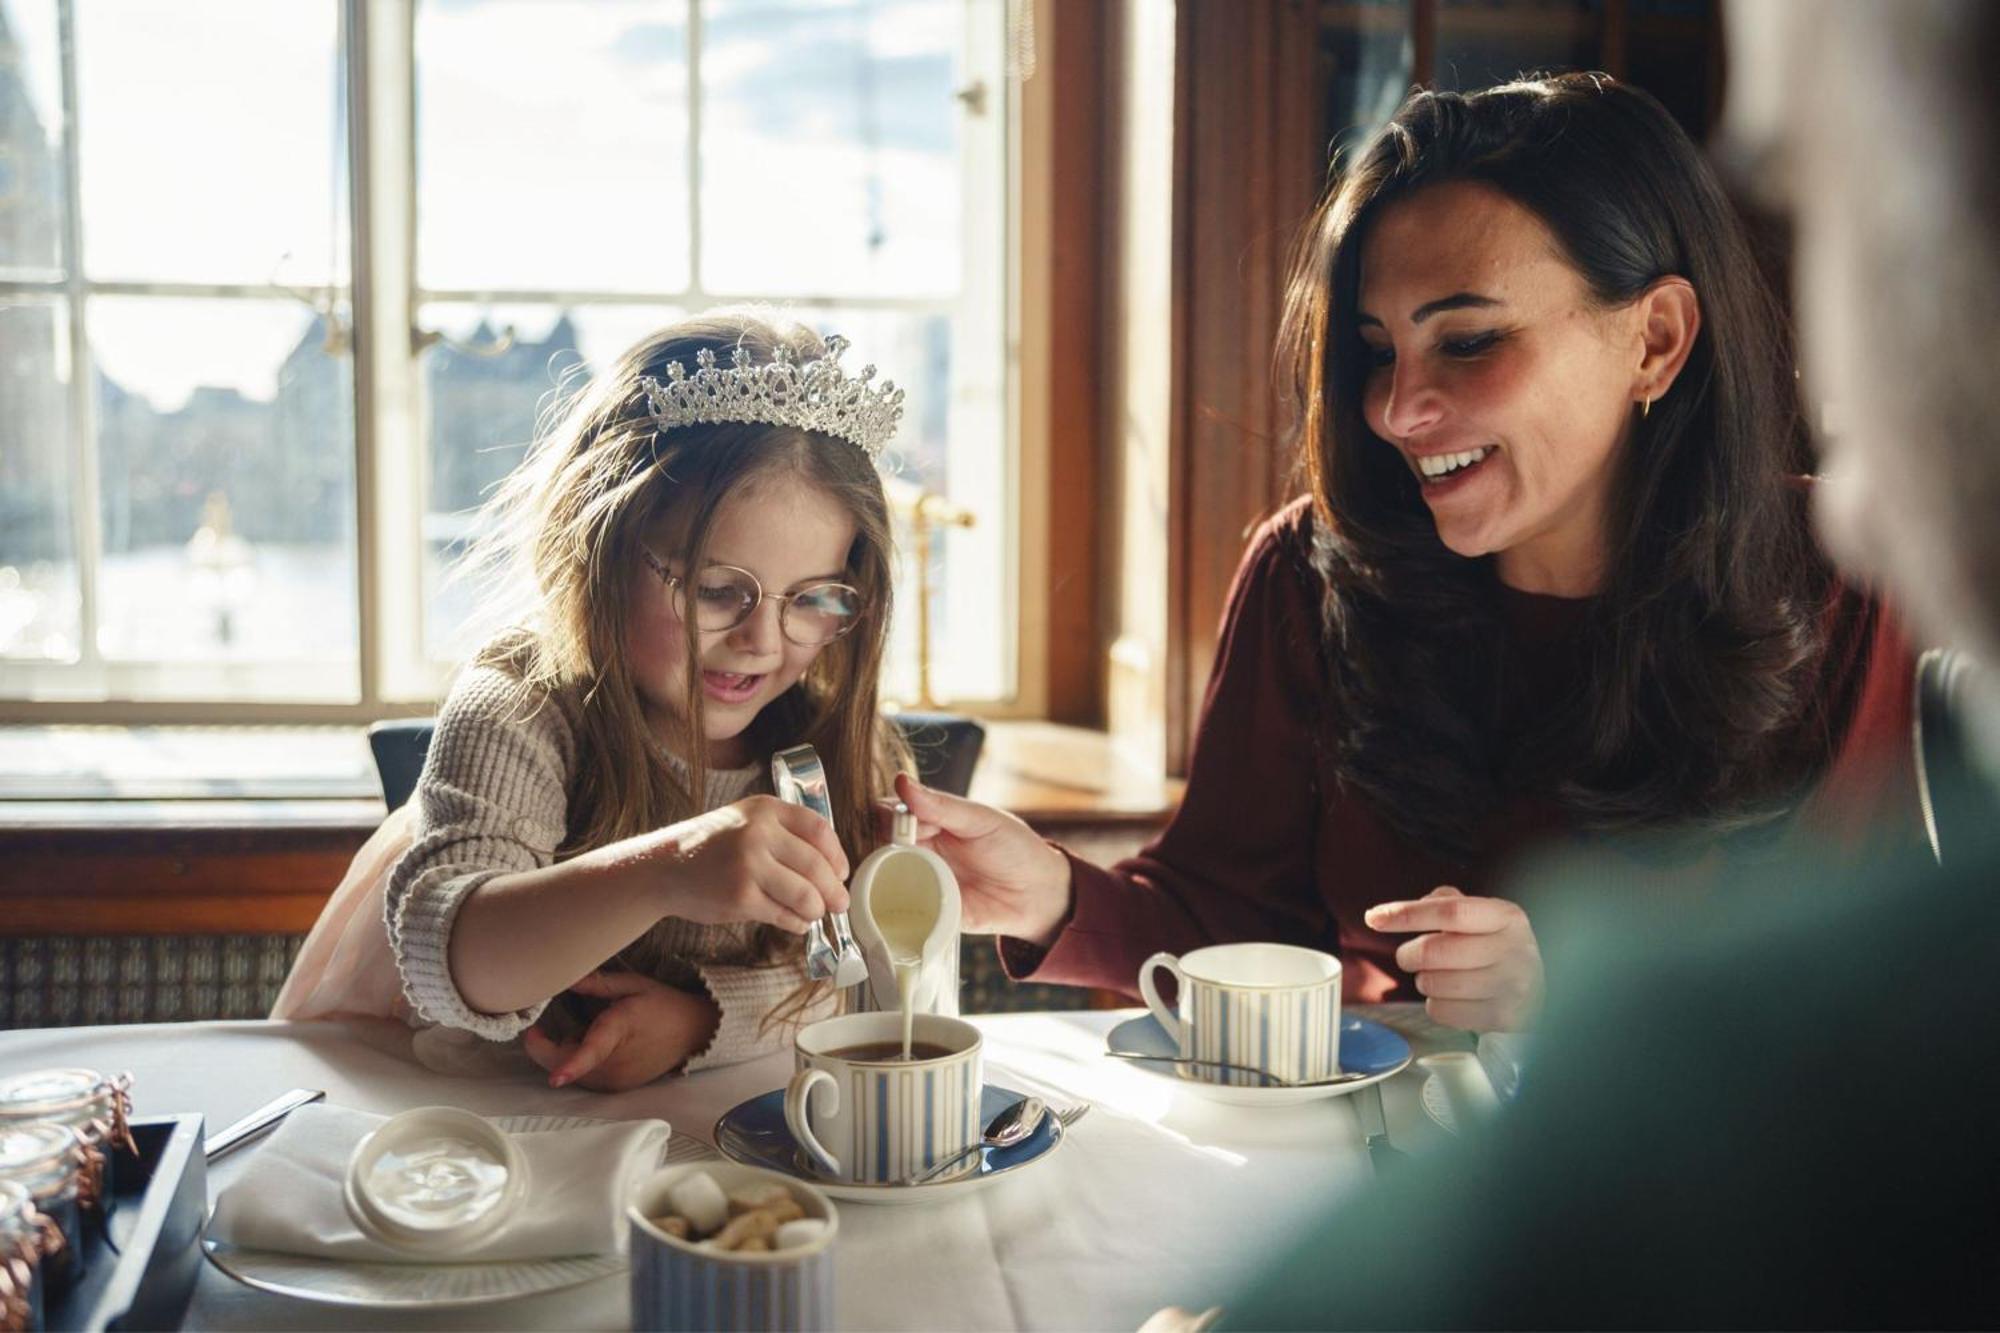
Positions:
{"x": 813, "y": 397}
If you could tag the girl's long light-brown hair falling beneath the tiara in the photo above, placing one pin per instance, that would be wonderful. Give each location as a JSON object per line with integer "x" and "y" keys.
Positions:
{"x": 571, "y": 521}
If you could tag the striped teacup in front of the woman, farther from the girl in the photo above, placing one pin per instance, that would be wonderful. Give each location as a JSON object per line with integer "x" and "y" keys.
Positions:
{"x": 1273, "y": 1008}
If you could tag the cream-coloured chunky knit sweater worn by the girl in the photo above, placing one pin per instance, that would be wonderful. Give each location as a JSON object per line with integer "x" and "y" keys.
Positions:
{"x": 493, "y": 802}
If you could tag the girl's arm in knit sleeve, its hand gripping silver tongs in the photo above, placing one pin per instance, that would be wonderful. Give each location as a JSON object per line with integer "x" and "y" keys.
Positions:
{"x": 487, "y": 926}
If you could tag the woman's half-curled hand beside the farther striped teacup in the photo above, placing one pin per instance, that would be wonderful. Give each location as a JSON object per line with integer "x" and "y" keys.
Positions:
{"x": 1479, "y": 968}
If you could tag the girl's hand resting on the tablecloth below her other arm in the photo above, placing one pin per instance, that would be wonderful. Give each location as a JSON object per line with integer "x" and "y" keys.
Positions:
{"x": 647, "y": 1030}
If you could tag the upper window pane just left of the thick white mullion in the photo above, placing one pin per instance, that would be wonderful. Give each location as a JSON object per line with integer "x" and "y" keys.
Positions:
{"x": 181, "y": 181}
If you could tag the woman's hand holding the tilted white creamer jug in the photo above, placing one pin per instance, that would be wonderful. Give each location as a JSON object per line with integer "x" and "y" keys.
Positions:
{"x": 1009, "y": 880}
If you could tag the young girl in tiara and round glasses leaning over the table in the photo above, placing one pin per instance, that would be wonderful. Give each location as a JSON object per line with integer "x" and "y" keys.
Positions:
{"x": 711, "y": 561}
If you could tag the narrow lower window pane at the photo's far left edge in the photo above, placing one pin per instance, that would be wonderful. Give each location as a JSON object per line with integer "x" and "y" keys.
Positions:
{"x": 39, "y": 591}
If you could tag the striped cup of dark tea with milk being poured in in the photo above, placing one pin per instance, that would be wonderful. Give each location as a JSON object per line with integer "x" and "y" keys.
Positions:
{"x": 879, "y": 1122}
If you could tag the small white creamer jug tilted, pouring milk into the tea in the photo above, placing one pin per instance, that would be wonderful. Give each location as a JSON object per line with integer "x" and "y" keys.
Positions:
{"x": 907, "y": 922}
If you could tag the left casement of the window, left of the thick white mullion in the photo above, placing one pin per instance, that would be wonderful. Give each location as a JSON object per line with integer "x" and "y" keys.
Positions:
{"x": 177, "y": 447}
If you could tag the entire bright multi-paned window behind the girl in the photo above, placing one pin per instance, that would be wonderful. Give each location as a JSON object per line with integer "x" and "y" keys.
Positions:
{"x": 247, "y": 499}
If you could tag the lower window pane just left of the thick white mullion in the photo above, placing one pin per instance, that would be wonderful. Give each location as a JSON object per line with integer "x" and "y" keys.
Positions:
{"x": 227, "y": 461}
